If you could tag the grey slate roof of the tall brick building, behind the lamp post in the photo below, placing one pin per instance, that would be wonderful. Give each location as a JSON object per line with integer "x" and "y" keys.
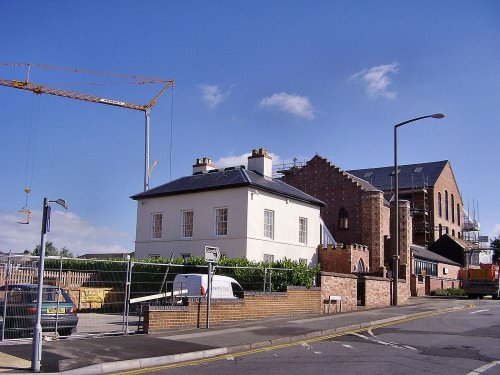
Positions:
{"x": 410, "y": 175}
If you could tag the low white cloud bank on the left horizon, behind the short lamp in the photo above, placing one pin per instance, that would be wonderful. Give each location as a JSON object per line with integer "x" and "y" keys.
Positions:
{"x": 67, "y": 230}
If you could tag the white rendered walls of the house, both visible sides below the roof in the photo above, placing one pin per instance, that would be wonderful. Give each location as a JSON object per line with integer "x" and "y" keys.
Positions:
{"x": 245, "y": 237}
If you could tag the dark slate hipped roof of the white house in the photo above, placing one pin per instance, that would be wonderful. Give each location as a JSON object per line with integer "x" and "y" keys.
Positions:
{"x": 227, "y": 179}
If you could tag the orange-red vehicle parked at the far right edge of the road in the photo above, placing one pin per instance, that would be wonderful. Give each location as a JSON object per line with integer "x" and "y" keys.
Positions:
{"x": 480, "y": 282}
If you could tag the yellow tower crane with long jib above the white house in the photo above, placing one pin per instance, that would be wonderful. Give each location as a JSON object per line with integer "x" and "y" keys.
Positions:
{"x": 146, "y": 108}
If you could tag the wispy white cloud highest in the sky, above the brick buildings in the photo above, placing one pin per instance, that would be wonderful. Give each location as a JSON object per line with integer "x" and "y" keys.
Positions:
{"x": 377, "y": 79}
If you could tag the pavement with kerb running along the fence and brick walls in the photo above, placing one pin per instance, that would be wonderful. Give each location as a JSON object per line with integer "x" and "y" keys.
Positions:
{"x": 113, "y": 354}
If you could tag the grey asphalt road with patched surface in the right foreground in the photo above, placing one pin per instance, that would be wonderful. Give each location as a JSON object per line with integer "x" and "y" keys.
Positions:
{"x": 463, "y": 342}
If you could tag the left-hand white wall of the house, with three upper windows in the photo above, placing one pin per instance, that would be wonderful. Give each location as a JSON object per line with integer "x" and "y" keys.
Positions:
{"x": 203, "y": 204}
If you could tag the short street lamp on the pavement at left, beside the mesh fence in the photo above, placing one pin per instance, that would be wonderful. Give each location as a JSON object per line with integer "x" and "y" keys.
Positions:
{"x": 37, "y": 330}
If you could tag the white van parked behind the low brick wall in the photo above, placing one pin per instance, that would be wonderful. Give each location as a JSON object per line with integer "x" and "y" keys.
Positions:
{"x": 195, "y": 285}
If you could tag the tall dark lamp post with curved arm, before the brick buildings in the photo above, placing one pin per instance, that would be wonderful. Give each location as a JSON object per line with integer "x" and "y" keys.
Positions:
{"x": 395, "y": 272}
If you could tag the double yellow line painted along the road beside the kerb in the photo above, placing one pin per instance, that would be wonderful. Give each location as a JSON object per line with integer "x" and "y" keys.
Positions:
{"x": 288, "y": 345}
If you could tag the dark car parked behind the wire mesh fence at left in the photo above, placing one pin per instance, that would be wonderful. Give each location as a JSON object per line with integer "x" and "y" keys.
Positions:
{"x": 19, "y": 302}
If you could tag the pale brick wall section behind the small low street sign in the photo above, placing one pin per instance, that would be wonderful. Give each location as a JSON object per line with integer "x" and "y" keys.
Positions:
{"x": 336, "y": 284}
